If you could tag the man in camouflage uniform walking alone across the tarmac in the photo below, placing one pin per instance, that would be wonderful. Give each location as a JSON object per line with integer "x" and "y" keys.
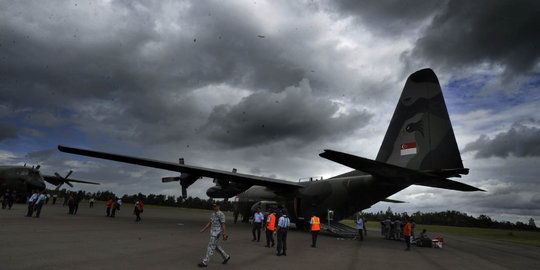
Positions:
{"x": 217, "y": 230}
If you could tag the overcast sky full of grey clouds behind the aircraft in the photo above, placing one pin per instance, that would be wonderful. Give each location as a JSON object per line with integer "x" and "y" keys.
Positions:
{"x": 265, "y": 86}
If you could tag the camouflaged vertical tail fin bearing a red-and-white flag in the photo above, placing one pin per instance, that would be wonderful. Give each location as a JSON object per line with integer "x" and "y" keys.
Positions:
{"x": 420, "y": 135}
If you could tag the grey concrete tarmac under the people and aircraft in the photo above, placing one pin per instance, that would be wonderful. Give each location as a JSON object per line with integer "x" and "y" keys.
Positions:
{"x": 170, "y": 239}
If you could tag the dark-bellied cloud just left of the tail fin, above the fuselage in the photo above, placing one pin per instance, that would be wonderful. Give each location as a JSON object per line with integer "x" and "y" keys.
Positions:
{"x": 295, "y": 115}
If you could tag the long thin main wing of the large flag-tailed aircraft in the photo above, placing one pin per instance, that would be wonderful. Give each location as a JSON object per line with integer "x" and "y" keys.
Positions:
{"x": 200, "y": 171}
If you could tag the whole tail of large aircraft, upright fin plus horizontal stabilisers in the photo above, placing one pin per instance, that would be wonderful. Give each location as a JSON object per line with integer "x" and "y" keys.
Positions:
{"x": 419, "y": 147}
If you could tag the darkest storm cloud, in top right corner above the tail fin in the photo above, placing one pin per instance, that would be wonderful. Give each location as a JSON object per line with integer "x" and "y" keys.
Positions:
{"x": 457, "y": 34}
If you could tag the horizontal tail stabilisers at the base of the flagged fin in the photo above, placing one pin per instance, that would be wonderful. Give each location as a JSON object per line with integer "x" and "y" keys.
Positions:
{"x": 399, "y": 175}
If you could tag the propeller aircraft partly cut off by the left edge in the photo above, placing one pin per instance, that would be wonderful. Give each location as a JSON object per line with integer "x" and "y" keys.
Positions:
{"x": 24, "y": 179}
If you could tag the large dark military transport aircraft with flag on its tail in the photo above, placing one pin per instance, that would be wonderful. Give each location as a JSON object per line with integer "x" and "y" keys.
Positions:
{"x": 419, "y": 149}
